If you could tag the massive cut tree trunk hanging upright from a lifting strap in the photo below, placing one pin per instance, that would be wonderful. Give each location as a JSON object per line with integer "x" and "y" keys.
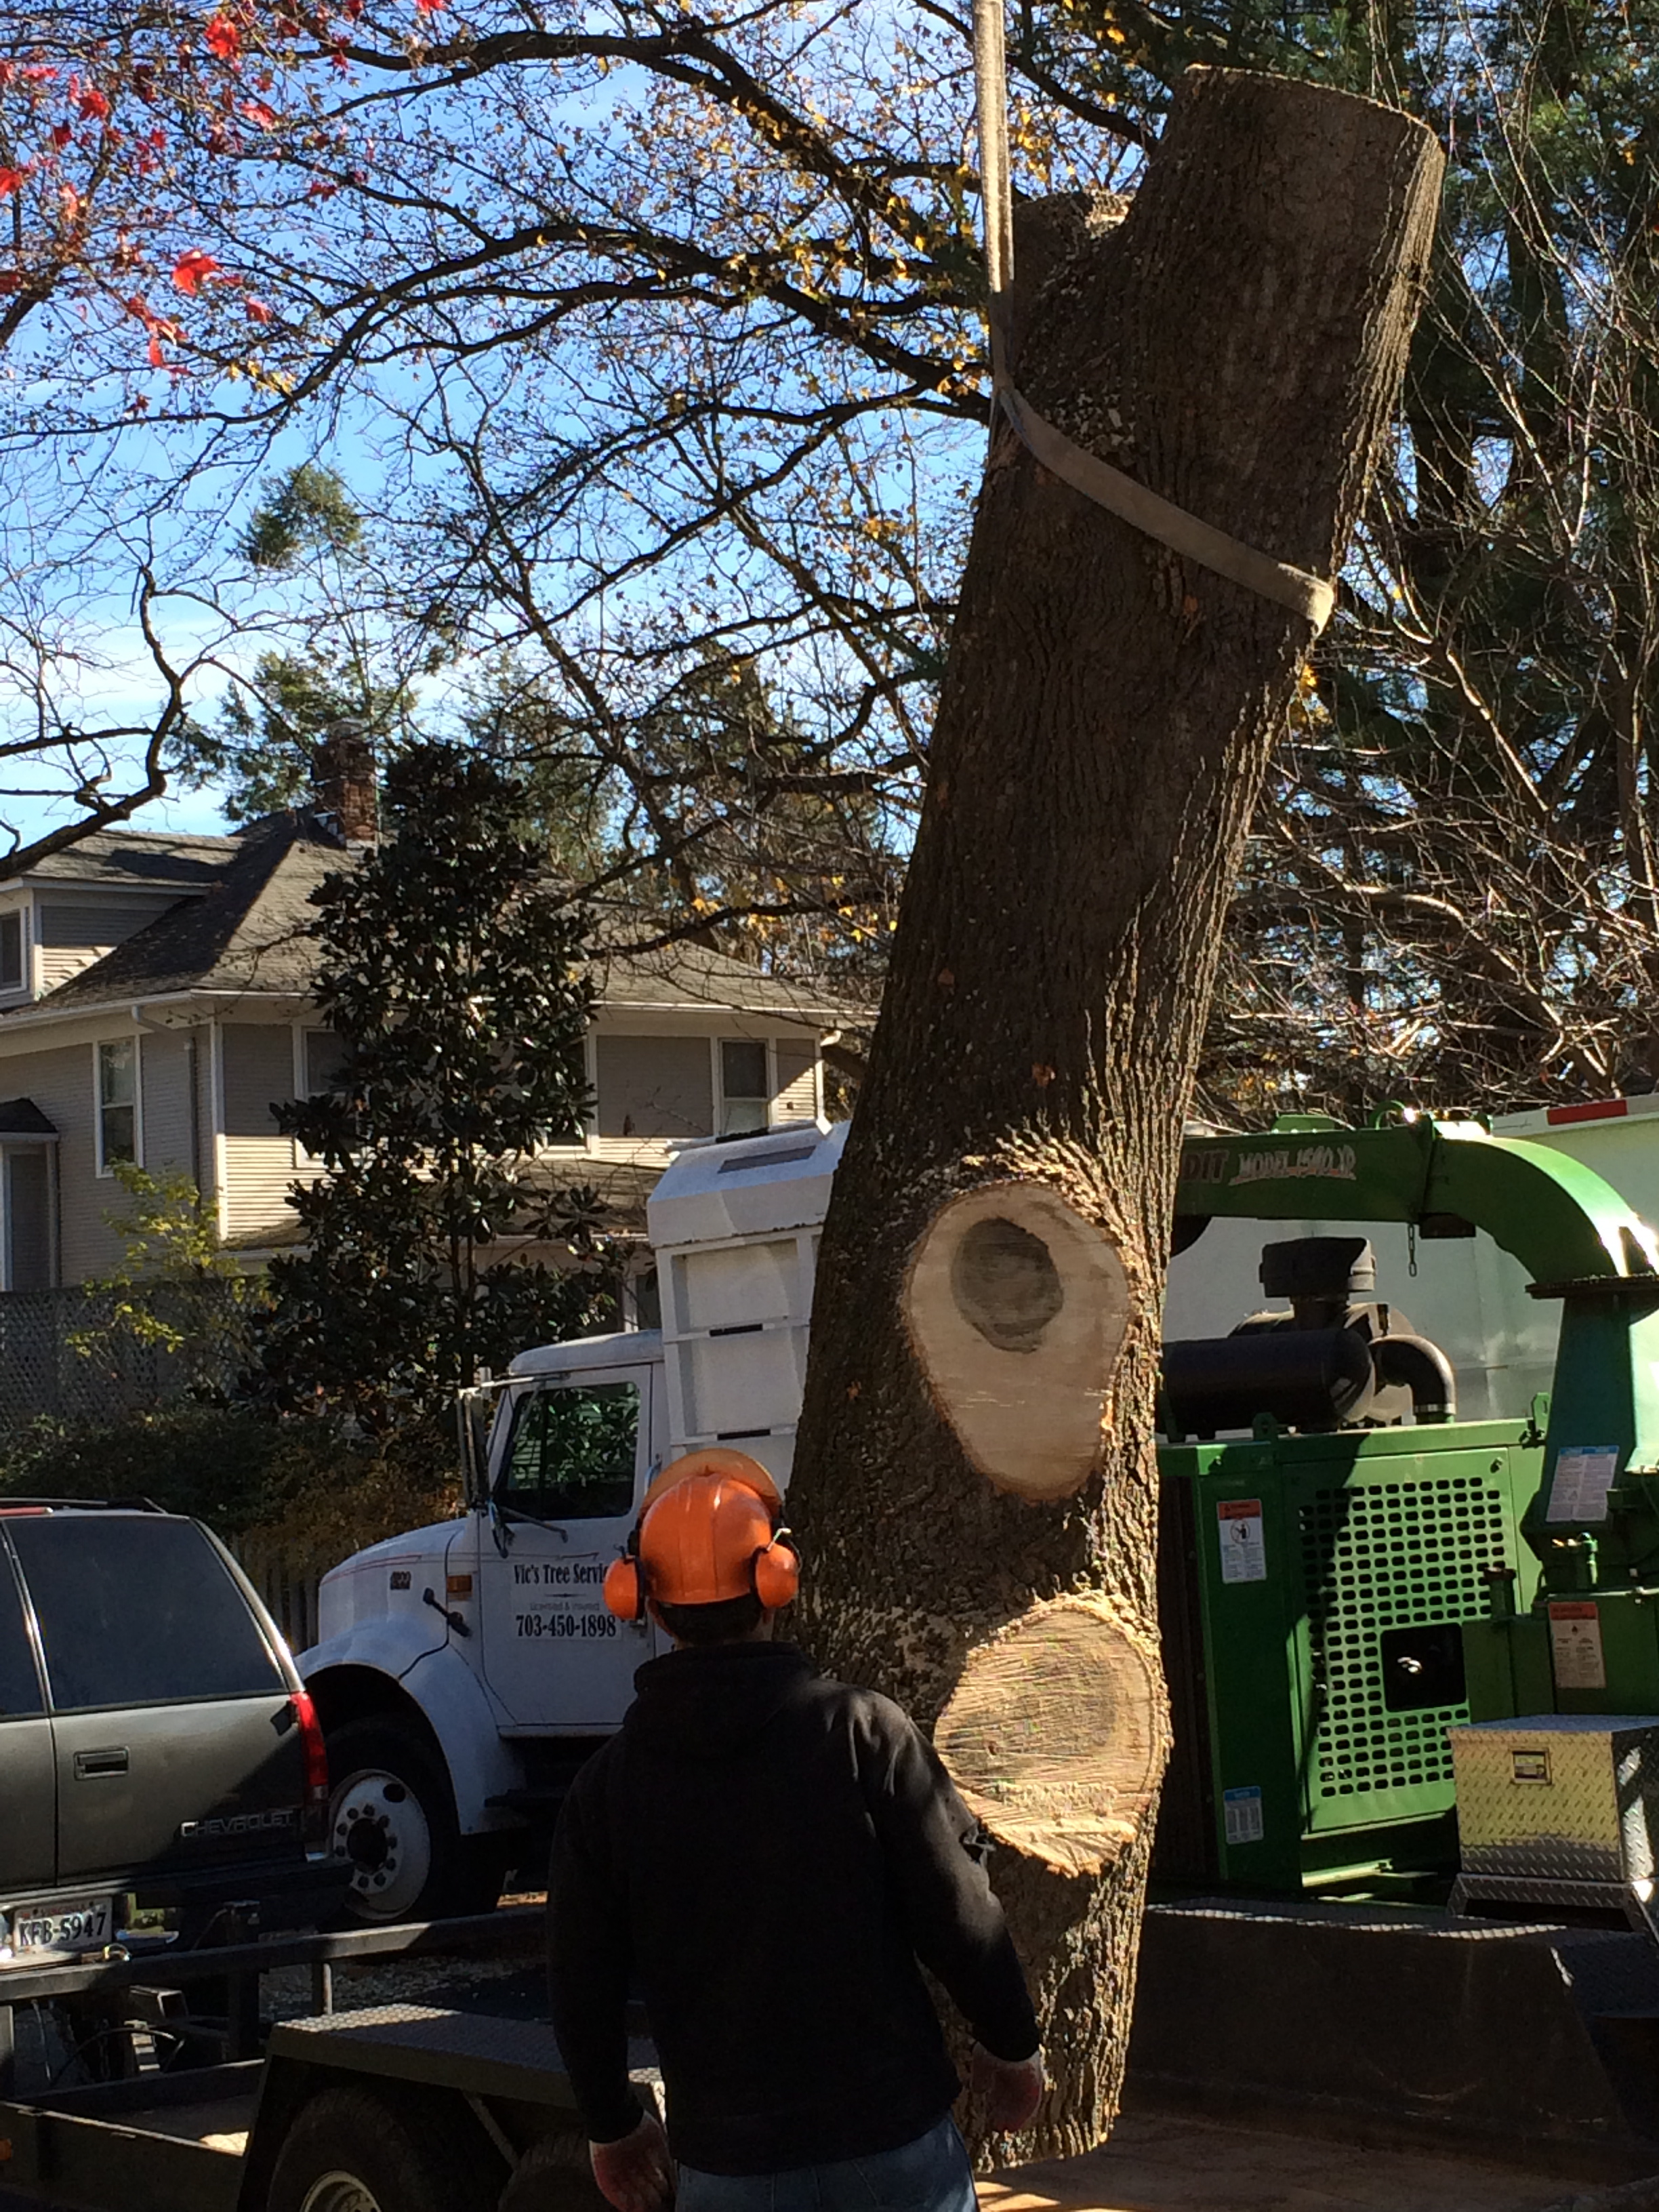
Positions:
{"x": 974, "y": 1472}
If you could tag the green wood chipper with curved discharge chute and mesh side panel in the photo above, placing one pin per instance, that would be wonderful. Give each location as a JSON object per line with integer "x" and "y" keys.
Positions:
{"x": 1348, "y": 1572}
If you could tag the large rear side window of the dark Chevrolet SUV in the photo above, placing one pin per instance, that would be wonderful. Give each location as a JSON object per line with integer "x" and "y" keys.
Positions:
{"x": 138, "y": 1611}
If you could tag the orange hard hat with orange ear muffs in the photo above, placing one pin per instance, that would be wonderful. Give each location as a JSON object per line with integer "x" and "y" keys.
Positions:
{"x": 707, "y": 1534}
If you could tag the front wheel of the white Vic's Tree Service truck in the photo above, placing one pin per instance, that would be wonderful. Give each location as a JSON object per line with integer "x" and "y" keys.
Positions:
{"x": 393, "y": 1819}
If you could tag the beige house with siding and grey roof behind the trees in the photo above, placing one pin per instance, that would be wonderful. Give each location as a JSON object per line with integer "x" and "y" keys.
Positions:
{"x": 156, "y": 1003}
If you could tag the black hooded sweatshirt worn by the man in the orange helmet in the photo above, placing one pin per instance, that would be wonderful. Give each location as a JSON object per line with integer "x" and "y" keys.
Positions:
{"x": 769, "y": 1855}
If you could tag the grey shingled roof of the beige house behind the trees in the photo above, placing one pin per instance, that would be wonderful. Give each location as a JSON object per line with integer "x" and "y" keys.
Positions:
{"x": 244, "y": 926}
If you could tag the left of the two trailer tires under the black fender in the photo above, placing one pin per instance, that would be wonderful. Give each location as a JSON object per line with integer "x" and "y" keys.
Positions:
{"x": 351, "y": 2151}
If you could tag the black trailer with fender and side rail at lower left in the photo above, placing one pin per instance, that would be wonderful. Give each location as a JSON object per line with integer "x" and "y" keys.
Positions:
{"x": 388, "y": 2109}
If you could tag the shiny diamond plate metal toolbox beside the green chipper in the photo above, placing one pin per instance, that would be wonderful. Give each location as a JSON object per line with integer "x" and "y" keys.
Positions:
{"x": 1567, "y": 1797}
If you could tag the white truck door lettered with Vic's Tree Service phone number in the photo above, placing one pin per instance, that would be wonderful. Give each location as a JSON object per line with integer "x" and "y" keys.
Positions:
{"x": 567, "y": 1485}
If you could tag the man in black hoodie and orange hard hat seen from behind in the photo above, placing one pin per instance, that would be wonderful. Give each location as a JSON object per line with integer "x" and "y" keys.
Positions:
{"x": 771, "y": 1855}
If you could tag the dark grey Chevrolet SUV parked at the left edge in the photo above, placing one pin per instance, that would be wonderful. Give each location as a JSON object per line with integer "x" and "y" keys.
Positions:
{"x": 156, "y": 1740}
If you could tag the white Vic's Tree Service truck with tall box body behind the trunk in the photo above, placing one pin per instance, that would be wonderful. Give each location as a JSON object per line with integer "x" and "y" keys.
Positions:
{"x": 466, "y": 1669}
